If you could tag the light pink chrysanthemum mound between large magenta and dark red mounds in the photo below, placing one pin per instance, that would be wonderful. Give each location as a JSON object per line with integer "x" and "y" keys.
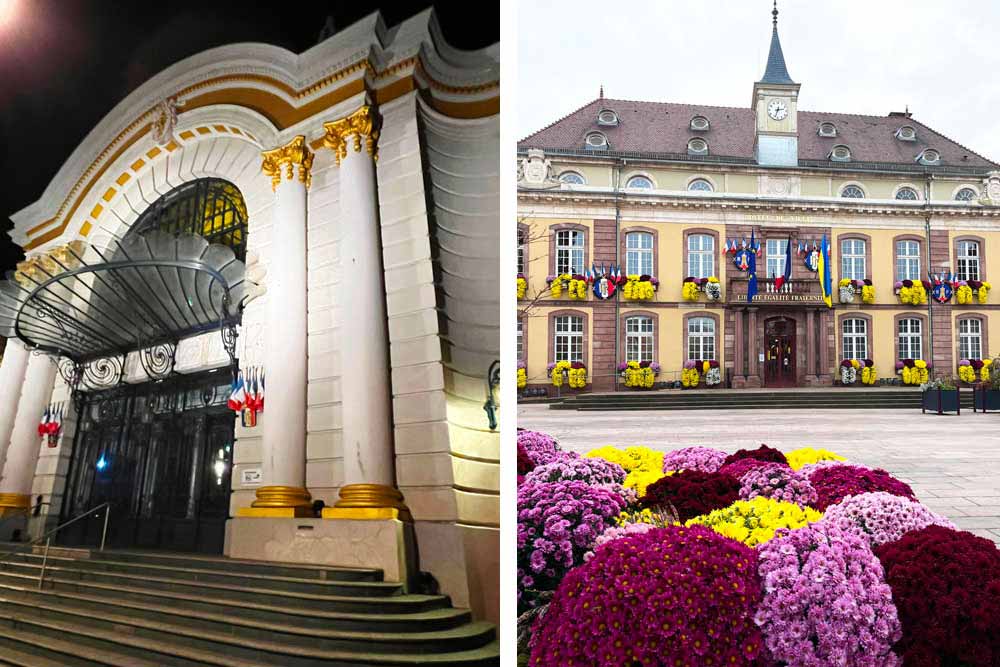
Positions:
{"x": 826, "y": 601}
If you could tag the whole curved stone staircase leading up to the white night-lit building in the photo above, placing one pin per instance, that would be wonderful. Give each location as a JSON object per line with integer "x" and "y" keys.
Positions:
{"x": 146, "y": 609}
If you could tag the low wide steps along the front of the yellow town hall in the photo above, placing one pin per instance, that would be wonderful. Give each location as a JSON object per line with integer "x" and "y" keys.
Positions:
{"x": 746, "y": 399}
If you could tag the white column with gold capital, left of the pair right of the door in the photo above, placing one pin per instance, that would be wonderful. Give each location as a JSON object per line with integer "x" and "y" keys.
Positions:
{"x": 283, "y": 424}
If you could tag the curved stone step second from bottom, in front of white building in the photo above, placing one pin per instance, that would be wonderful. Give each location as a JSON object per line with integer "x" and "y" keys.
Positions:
{"x": 234, "y": 635}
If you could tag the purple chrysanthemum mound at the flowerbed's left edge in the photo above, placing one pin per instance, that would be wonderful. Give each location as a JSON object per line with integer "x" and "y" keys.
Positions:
{"x": 557, "y": 524}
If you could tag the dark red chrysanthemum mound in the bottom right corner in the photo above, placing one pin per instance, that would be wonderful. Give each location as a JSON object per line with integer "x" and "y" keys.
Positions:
{"x": 946, "y": 586}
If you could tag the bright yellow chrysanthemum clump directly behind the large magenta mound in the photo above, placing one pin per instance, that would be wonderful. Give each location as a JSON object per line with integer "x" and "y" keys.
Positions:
{"x": 755, "y": 521}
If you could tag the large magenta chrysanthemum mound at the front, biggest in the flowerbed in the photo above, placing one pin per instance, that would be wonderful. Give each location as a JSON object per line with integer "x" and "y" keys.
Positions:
{"x": 667, "y": 596}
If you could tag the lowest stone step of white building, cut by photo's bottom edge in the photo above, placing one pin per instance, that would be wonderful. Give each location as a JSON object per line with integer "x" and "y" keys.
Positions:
{"x": 146, "y": 651}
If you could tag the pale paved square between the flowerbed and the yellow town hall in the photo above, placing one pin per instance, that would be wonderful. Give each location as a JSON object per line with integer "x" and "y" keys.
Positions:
{"x": 952, "y": 462}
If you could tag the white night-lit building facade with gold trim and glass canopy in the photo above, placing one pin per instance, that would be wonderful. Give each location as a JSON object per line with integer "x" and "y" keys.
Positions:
{"x": 334, "y": 215}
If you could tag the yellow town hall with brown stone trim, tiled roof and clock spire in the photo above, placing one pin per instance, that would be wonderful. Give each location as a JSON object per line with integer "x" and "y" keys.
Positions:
{"x": 666, "y": 192}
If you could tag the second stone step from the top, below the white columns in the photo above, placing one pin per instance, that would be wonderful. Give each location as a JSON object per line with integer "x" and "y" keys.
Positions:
{"x": 233, "y": 577}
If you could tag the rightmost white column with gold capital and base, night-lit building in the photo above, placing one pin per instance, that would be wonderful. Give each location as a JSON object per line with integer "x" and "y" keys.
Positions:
{"x": 369, "y": 490}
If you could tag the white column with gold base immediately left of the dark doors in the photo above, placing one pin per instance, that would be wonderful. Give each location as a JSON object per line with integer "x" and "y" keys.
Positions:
{"x": 22, "y": 454}
